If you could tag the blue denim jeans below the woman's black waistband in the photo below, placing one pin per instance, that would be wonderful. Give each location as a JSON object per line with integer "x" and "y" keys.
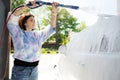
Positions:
{"x": 24, "y": 73}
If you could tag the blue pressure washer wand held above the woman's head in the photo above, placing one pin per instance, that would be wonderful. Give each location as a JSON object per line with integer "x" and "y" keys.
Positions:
{"x": 40, "y": 3}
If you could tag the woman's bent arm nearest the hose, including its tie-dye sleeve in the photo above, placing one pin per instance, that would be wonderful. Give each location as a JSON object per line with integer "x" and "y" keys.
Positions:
{"x": 13, "y": 26}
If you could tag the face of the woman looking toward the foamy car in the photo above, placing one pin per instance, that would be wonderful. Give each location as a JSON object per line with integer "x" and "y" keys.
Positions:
{"x": 30, "y": 23}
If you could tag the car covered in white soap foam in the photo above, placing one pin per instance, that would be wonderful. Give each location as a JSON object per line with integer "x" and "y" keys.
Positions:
{"x": 94, "y": 53}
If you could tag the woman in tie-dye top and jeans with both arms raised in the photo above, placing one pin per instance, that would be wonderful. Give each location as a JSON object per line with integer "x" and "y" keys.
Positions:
{"x": 28, "y": 42}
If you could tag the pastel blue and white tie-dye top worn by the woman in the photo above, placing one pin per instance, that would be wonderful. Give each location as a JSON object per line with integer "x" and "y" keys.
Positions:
{"x": 27, "y": 45}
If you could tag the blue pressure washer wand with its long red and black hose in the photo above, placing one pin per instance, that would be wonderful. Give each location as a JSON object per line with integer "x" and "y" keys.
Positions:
{"x": 38, "y": 4}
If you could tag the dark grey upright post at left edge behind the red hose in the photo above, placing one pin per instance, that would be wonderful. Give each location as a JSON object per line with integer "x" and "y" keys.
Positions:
{"x": 4, "y": 8}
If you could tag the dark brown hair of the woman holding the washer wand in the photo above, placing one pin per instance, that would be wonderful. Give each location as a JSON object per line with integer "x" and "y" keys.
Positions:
{"x": 23, "y": 19}
